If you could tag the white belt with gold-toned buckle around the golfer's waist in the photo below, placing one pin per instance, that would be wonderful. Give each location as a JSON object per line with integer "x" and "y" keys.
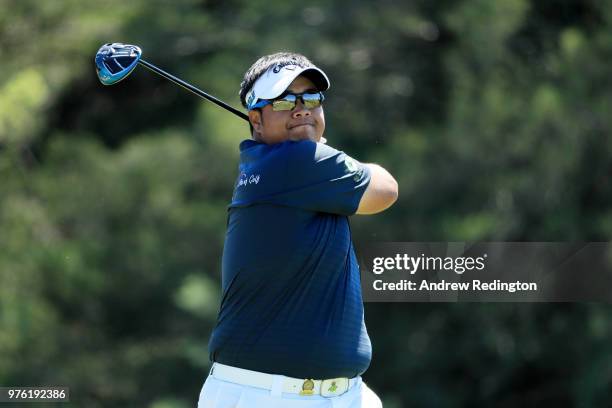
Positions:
{"x": 303, "y": 386}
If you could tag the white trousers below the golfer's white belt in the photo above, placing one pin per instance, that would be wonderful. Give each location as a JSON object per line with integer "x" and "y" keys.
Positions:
{"x": 222, "y": 394}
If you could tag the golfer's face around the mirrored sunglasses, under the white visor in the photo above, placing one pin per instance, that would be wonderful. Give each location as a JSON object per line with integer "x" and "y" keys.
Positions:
{"x": 272, "y": 127}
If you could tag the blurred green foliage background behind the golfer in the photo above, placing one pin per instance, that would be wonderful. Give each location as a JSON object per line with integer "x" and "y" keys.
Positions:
{"x": 494, "y": 116}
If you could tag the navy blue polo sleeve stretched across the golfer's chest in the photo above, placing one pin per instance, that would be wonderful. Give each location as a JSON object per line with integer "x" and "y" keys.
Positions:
{"x": 321, "y": 178}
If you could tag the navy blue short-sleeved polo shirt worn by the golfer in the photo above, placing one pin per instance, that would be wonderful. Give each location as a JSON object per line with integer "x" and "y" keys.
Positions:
{"x": 291, "y": 300}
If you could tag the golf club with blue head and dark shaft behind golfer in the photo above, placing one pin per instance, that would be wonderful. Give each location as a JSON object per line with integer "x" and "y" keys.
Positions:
{"x": 115, "y": 61}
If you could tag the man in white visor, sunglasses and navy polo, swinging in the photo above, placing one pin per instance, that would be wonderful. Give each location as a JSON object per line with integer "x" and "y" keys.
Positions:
{"x": 290, "y": 330}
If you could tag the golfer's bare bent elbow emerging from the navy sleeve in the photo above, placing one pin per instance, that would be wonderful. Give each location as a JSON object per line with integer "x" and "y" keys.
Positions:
{"x": 381, "y": 192}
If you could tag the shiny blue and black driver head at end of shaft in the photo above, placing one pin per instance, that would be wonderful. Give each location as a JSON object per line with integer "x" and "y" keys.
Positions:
{"x": 115, "y": 61}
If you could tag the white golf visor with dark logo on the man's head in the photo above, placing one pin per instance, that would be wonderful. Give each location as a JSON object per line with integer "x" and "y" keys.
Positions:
{"x": 277, "y": 78}
